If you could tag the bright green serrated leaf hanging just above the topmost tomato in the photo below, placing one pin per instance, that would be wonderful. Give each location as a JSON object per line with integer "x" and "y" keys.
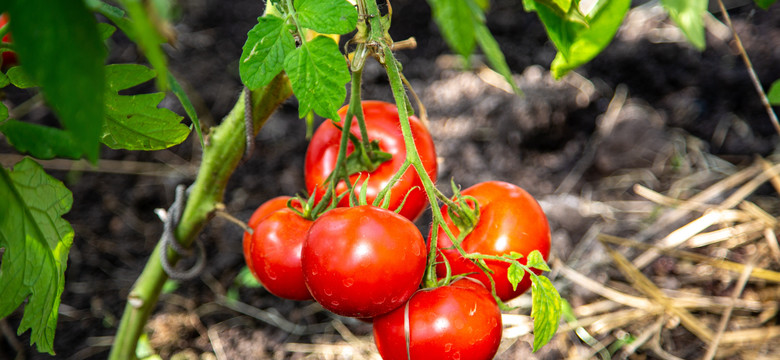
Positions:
{"x": 318, "y": 75}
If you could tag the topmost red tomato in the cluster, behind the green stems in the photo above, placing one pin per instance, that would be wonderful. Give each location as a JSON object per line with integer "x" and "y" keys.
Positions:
{"x": 382, "y": 124}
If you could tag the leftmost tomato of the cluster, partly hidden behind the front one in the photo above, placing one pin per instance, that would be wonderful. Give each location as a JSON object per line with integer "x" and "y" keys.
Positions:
{"x": 273, "y": 252}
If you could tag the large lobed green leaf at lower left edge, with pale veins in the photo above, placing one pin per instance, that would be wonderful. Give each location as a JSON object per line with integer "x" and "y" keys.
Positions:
{"x": 36, "y": 241}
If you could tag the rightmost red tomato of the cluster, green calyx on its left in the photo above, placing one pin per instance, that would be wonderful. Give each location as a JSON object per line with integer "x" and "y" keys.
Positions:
{"x": 510, "y": 219}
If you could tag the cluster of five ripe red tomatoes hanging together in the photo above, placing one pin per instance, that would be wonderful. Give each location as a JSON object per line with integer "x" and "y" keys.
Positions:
{"x": 368, "y": 262}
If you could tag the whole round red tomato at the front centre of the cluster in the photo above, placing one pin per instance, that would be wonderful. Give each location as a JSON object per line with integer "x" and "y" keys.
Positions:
{"x": 363, "y": 261}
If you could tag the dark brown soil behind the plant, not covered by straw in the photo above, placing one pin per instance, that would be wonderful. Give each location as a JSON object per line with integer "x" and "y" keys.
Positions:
{"x": 481, "y": 133}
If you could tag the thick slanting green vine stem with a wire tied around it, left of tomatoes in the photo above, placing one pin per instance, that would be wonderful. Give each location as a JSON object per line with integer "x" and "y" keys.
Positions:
{"x": 221, "y": 156}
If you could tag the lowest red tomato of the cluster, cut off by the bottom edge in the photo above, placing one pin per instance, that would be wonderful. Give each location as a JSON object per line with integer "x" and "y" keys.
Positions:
{"x": 459, "y": 321}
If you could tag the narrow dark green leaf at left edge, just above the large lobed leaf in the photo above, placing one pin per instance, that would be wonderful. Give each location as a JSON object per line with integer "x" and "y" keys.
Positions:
{"x": 27, "y": 138}
